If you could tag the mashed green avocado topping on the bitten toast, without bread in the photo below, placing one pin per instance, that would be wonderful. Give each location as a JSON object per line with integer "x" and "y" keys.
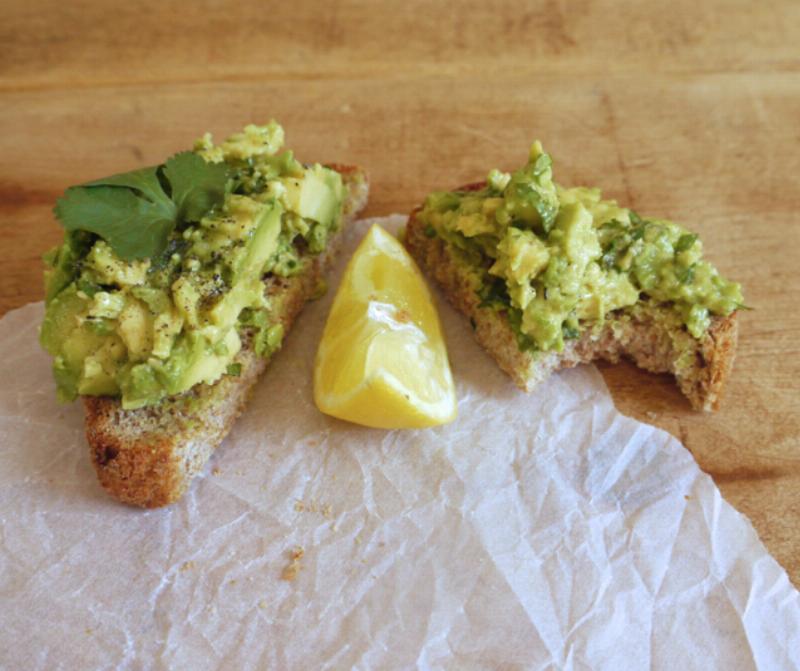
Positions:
{"x": 558, "y": 260}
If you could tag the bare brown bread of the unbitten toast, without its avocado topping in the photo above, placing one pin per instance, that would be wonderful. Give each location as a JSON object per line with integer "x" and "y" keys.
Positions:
{"x": 148, "y": 456}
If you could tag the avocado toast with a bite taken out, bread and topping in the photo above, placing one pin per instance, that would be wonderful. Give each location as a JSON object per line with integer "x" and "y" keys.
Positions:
{"x": 552, "y": 277}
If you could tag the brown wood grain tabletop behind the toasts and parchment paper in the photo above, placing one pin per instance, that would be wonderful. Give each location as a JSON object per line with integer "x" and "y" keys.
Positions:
{"x": 687, "y": 109}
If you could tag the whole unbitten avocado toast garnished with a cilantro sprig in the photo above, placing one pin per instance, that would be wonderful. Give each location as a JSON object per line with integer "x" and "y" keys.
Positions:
{"x": 174, "y": 287}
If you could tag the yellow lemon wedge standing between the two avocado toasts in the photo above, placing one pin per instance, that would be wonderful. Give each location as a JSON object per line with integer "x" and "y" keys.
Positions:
{"x": 382, "y": 360}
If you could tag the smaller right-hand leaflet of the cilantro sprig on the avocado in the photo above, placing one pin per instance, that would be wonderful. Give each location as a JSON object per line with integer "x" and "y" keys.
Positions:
{"x": 196, "y": 185}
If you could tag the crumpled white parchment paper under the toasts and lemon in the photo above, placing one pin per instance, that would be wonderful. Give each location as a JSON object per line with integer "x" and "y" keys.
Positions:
{"x": 541, "y": 531}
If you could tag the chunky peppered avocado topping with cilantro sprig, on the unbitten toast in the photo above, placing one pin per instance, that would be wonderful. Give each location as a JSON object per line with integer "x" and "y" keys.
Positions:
{"x": 160, "y": 276}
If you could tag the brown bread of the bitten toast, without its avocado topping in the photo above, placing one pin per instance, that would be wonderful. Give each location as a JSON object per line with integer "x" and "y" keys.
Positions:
{"x": 650, "y": 335}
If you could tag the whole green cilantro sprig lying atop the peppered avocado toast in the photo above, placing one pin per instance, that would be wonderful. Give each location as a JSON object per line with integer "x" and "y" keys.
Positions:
{"x": 135, "y": 212}
